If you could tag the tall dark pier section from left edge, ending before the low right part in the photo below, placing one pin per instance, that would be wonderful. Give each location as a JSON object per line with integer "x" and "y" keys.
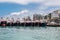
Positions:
{"x": 26, "y": 23}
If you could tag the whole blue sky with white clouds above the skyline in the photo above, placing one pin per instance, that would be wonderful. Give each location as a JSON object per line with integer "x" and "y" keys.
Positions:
{"x": 23, "y": 8}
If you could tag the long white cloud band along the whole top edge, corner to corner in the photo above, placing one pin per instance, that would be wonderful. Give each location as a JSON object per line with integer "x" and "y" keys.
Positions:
{"x": 44, "y": 2}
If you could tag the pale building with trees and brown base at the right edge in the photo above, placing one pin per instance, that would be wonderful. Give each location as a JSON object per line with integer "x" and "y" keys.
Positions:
{"x": 54, "y": 16}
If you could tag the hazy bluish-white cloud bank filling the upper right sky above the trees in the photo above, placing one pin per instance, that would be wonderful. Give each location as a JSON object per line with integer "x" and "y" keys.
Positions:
{"x": 44, "y": 8}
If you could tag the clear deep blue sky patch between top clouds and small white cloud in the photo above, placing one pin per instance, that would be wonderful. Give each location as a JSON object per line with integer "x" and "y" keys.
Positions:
{"x": 7, "y": 8}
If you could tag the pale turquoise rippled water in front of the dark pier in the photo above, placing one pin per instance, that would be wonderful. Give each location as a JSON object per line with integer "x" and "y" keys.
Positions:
{"x": 30, "y": 33}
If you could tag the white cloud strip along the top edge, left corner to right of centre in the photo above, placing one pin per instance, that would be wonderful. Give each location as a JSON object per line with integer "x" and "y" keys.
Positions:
{"x": 22, "y": 1}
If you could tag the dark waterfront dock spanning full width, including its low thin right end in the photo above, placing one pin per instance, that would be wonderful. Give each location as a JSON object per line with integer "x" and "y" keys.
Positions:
{"x": 28, "y": 23}
